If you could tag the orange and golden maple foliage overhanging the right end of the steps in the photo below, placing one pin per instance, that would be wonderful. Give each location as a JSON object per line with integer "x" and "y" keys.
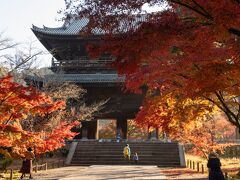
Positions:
{"x": 189, "y": 122}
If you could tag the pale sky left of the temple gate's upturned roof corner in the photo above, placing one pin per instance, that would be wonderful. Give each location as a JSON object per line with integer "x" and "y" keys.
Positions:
{"x": 17, "y": 17}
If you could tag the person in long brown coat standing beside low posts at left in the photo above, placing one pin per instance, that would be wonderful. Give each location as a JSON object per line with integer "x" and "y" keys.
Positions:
{"x": 27, "y": 164}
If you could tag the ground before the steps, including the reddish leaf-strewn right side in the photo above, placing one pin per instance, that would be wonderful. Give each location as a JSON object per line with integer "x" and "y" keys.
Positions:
{"x": 114, "y": 172}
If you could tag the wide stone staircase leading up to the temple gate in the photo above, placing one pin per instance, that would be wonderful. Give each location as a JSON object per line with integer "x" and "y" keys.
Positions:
{"x": 111, "y": 153}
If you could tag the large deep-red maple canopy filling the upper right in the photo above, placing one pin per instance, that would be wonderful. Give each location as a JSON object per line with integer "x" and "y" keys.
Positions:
{"x": 189, "y": 50}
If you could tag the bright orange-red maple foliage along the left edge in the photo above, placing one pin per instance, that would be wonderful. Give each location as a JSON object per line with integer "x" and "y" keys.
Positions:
{"x": 19, "y": 103}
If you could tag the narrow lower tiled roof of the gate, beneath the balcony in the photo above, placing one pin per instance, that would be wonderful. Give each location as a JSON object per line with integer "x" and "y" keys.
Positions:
{"x": 81, "y": 78}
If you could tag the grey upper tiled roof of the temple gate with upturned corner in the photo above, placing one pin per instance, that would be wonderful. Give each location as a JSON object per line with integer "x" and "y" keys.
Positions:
{"x": 74, "y": 26}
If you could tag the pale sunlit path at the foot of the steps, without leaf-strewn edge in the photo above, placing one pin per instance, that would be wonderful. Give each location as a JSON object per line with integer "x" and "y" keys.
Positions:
{"x": 102, "y": 173}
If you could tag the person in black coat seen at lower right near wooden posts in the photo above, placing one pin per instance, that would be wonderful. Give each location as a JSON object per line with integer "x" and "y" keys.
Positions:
{"x": 214, "y": 165}
